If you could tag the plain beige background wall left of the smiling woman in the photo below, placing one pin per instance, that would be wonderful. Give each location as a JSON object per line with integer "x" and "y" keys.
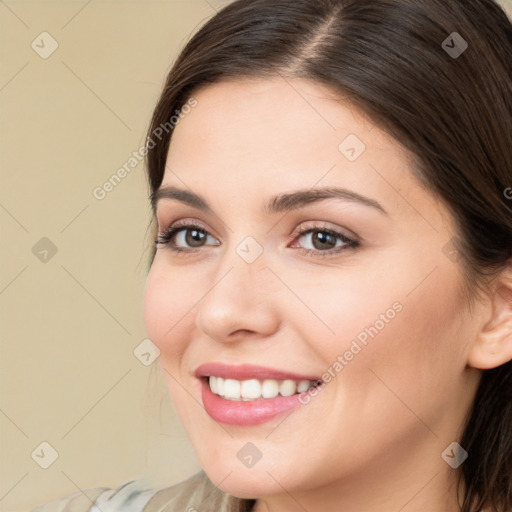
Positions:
{"x": 70, "y": 324}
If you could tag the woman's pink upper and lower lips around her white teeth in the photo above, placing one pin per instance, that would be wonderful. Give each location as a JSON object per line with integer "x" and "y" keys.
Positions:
{"x": 245, "y": 413}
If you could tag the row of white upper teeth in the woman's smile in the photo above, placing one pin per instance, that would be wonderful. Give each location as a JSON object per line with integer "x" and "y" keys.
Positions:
{"x": 254, "y": 389}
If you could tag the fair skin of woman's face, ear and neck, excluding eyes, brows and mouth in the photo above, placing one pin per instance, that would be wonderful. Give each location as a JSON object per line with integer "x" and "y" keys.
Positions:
{"x": 372, "y": 438}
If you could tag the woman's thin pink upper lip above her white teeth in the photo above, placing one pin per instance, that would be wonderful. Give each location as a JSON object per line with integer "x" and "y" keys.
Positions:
{"x": 246, "y": 372}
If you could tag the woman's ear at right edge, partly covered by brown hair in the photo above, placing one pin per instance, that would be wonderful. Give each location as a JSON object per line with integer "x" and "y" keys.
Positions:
{"x": 492, "y": 346}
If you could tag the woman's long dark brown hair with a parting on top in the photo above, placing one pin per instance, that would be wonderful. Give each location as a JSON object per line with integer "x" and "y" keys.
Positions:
{"x": 437, "y": 76}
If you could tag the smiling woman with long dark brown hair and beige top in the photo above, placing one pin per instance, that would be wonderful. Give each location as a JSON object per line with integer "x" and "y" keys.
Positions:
{"x": 331, "y": 284}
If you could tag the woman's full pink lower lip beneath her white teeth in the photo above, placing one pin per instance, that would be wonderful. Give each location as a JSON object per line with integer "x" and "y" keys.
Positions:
{"x": 254, "y": 412}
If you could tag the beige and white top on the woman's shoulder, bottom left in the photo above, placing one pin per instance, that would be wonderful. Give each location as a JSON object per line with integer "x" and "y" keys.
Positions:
{"x": 193, "y": 494}
